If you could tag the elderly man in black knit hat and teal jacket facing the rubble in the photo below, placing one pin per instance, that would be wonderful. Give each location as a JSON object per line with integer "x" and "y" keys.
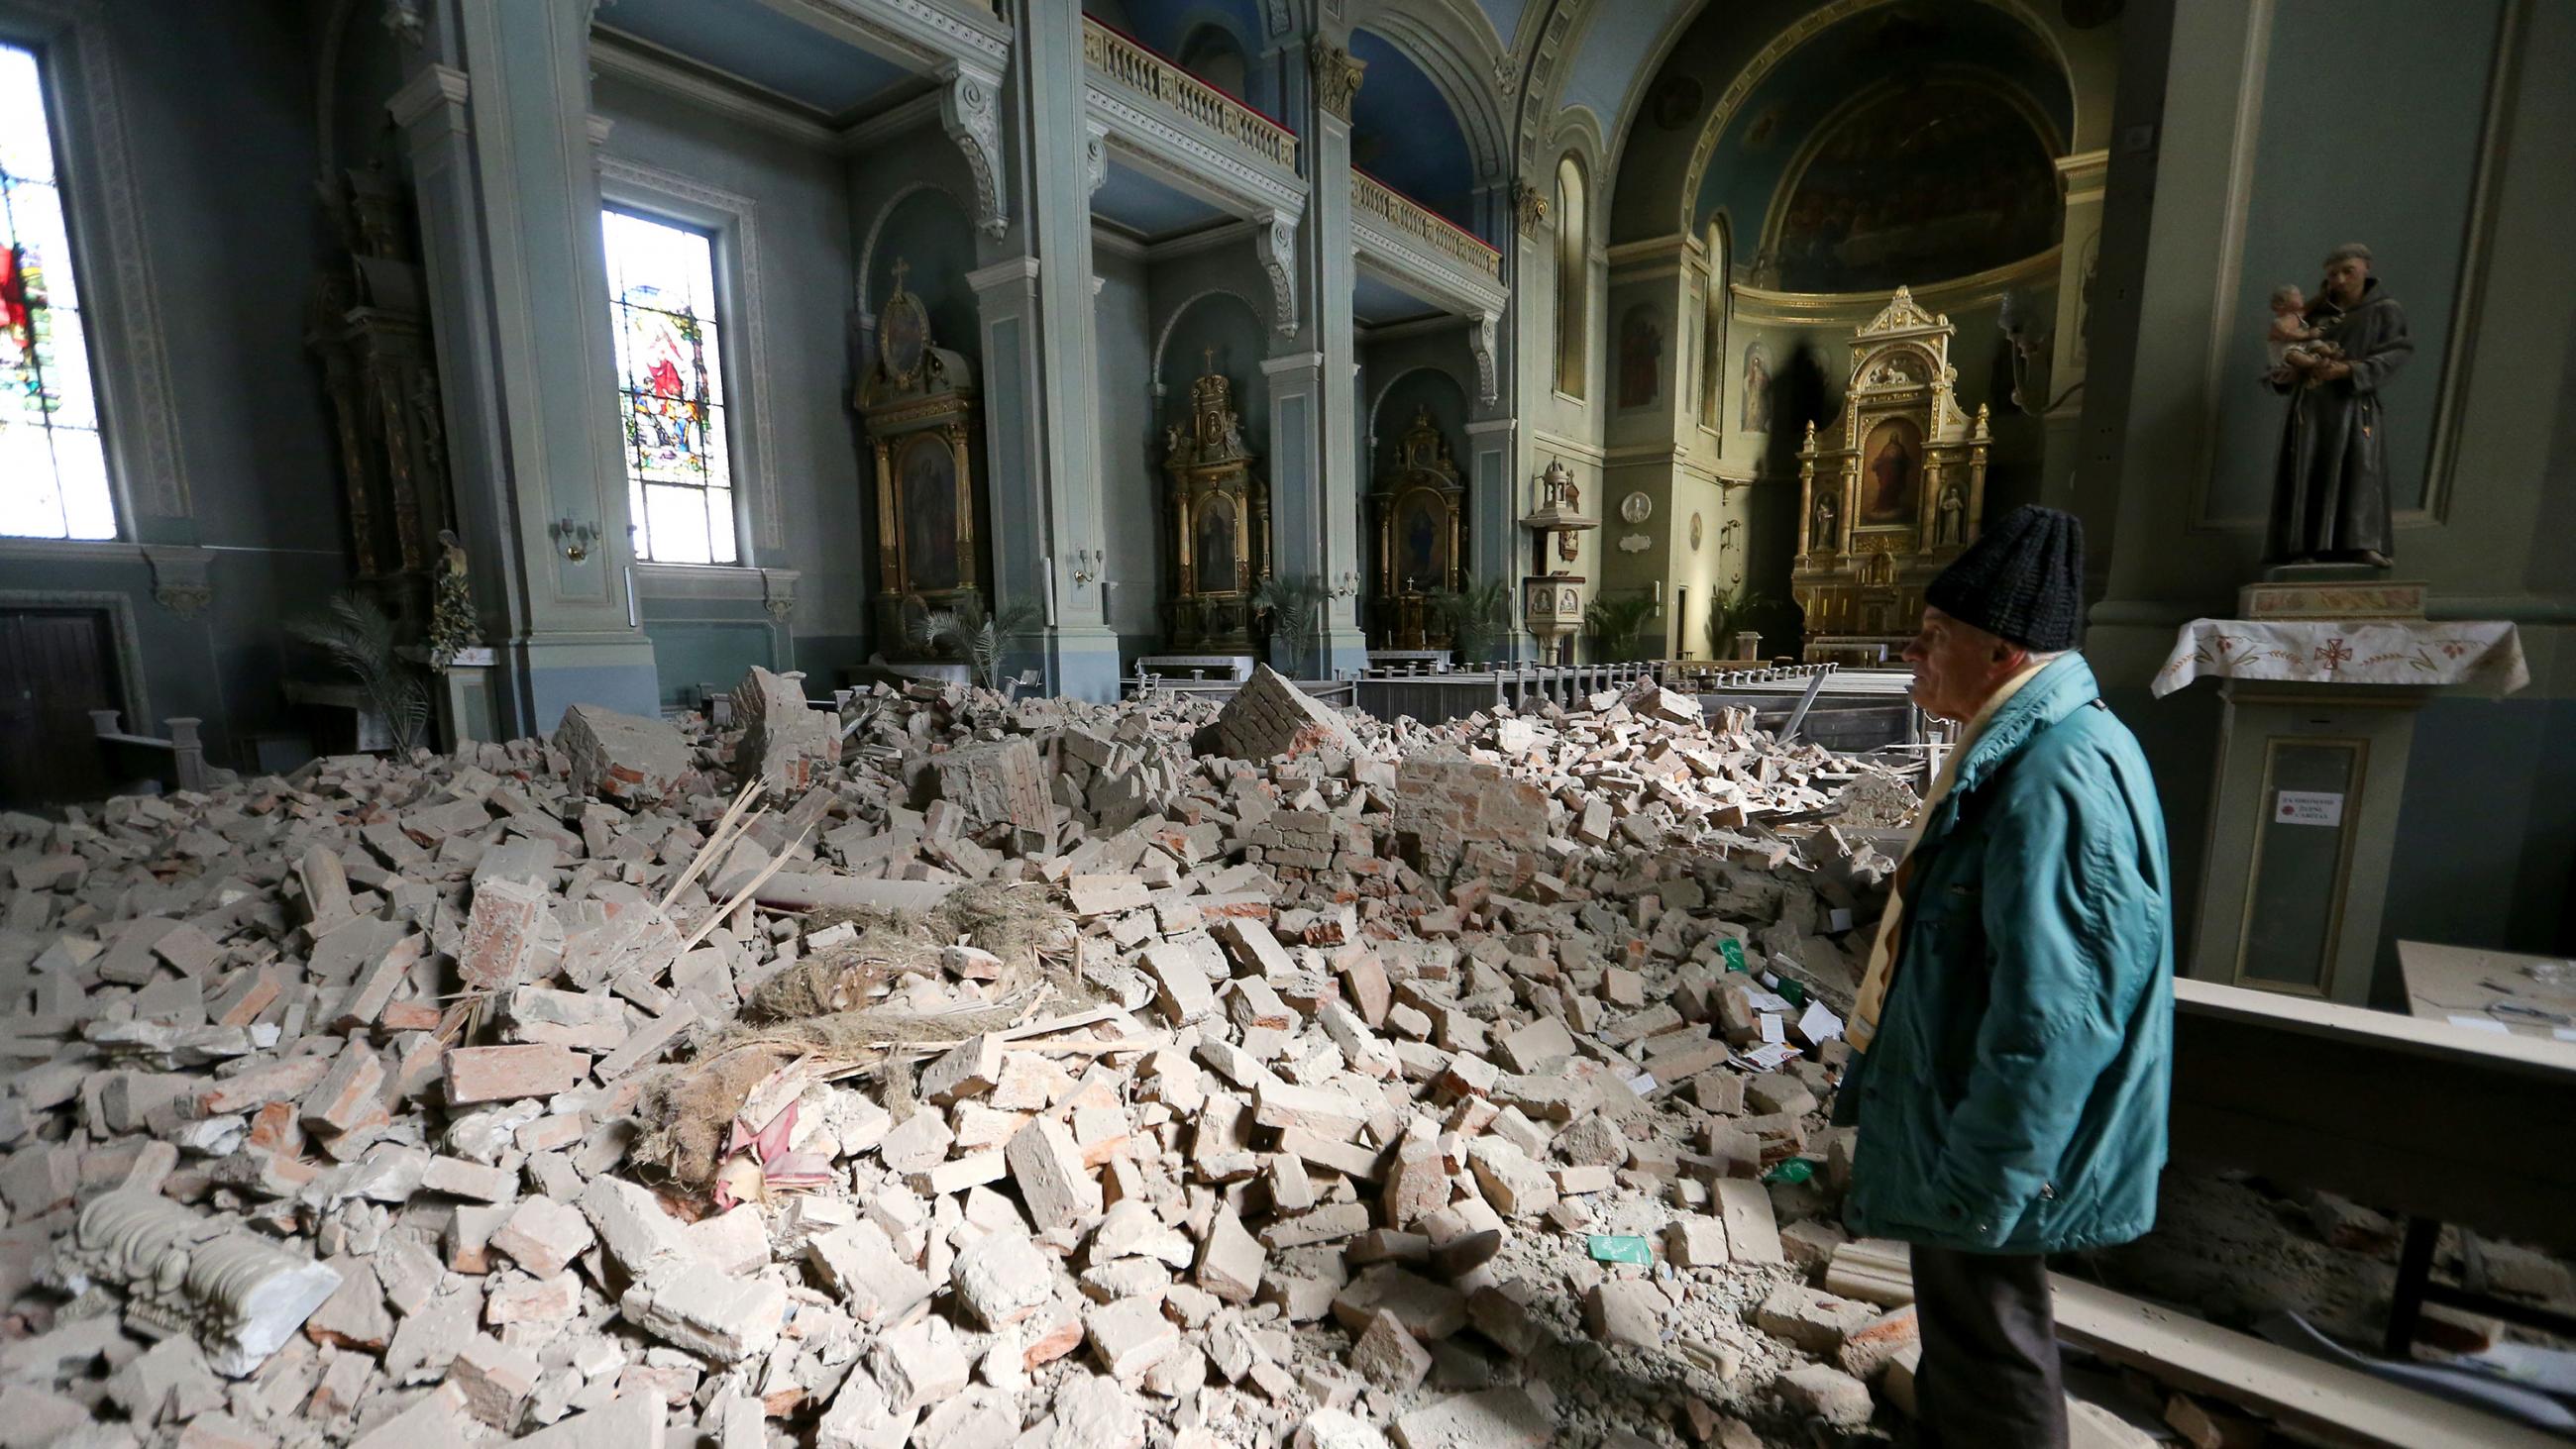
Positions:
{"x": 2016, "y": 1023}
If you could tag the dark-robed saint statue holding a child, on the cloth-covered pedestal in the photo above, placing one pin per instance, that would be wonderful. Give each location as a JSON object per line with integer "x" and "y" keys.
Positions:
{"x": 2330, "y": 485}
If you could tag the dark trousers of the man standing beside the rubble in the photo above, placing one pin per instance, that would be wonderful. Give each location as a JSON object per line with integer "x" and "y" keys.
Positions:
{"x": 1990, "y": 1371}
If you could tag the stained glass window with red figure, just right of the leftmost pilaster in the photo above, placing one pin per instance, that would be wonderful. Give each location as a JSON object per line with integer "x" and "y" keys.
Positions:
{"x": 671, "y": 390}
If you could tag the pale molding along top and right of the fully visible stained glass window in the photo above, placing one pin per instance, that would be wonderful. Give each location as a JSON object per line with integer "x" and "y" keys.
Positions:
{"x": 735, "y": 220}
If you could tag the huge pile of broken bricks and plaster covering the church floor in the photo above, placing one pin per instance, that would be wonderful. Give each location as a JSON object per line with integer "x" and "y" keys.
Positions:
{"x": 957, "y": 1075}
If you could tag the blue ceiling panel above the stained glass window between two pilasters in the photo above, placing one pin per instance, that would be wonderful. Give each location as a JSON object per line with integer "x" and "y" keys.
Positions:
{"x": 759, "y": 45}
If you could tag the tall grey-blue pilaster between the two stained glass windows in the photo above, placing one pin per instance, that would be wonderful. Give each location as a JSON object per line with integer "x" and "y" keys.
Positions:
{"x": 504, "y": 161}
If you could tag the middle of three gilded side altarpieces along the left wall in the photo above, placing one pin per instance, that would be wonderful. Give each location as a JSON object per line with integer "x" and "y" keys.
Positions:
{"x": 1220, "y": 547}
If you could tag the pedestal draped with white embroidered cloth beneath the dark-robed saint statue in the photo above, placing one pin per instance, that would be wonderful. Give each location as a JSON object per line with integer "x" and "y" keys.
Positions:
{"x": 2312, "y": 763}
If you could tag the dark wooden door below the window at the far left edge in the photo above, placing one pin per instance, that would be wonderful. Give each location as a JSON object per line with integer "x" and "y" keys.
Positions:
{"x": 55, "y": 668}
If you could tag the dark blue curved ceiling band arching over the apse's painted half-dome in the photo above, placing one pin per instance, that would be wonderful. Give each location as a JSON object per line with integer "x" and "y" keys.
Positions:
{"x": 1768, "y": 133}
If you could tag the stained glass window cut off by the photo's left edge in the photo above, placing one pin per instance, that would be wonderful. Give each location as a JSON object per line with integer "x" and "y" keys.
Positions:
{"x": 53, "y": 462}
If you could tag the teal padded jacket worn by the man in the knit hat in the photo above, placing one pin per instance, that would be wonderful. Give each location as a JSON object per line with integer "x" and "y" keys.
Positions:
{"x": 2013, "y": 1098}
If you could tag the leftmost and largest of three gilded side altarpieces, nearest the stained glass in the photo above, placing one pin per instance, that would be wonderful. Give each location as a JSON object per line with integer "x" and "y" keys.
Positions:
{"x": 918, "y": 403}
